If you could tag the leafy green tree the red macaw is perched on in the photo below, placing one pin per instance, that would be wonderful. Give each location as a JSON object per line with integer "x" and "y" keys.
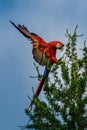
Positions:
{"x": 65, "y": 92}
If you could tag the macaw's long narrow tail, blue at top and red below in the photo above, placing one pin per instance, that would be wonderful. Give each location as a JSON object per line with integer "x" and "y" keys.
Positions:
{"x": 38, "y": 90}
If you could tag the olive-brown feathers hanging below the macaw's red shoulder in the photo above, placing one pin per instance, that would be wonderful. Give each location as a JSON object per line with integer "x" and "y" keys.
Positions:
{"x": 40, "y": 56}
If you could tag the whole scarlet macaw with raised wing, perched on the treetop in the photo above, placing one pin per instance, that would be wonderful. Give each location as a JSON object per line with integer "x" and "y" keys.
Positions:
{"x": 43, "y": 52}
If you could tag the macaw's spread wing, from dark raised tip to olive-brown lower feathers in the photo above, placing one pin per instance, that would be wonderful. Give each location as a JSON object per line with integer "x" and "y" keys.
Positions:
{"x": 39, "y": 45}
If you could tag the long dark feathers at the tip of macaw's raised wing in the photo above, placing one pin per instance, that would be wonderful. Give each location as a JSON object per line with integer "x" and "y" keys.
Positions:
{"x": 23, "y": 30}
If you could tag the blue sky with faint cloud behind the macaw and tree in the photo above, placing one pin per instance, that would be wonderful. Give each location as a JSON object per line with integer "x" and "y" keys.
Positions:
{"x": 47, "y": 18}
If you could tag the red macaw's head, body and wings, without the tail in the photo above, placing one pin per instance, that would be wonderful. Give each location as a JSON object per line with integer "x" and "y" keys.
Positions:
{"x": 43, "y": 52}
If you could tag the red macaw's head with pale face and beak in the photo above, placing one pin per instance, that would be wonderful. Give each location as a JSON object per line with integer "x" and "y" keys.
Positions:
{"x": 57, "y": 45}
